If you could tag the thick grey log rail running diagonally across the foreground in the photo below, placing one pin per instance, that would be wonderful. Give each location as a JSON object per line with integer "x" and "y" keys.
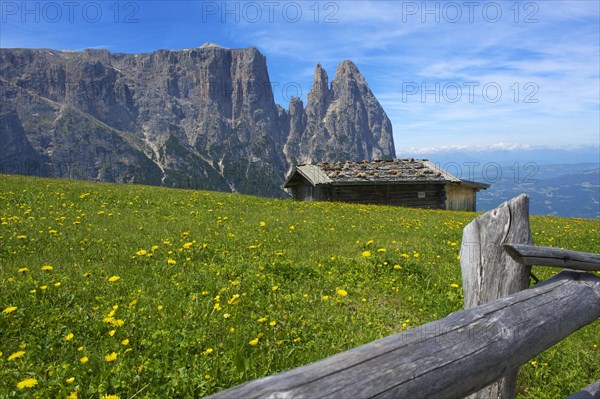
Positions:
{"x": 448, "y": 358}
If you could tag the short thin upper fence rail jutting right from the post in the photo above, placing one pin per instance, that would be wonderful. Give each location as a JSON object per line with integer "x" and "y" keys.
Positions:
{"x": 547, "y": 256}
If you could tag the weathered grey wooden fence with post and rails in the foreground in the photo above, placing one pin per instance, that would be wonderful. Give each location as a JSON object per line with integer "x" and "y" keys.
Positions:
{"x": 474, "y": 352}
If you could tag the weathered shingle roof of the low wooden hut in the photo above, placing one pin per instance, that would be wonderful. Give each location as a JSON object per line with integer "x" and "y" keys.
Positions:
{"x": 390, "y": 171}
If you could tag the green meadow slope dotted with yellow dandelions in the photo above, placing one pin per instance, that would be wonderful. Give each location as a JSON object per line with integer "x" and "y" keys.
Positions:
{"x": 222, "y": 272}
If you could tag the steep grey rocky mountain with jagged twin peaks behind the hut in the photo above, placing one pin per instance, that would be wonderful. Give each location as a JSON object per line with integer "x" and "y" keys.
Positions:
{"x": 198, "y": 118}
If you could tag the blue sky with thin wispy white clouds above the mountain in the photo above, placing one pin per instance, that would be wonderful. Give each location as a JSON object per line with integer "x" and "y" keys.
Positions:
{"x": 467, "y": 74}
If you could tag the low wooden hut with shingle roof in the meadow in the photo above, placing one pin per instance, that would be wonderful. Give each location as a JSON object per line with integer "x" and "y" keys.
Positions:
{"x": 407, "y": 182}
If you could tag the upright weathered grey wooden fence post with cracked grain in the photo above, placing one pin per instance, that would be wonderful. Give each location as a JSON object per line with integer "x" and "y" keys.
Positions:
{"x": 489, "y": 273}
